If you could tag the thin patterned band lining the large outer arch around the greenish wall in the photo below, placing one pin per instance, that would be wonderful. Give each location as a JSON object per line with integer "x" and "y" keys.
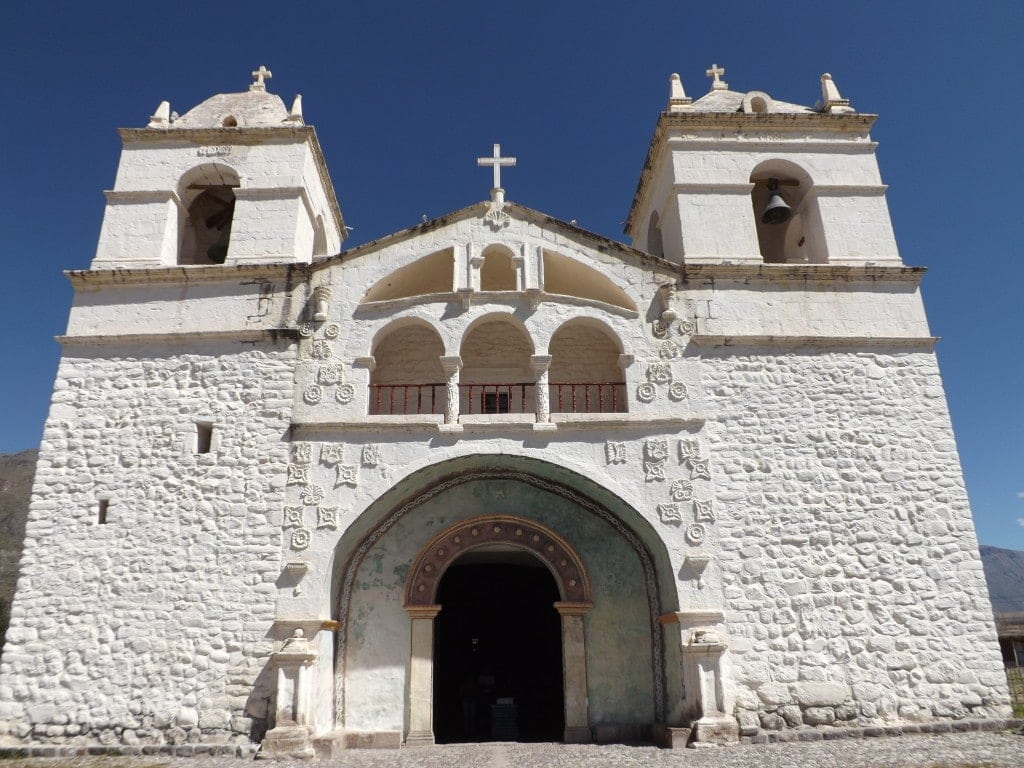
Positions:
{"x": 561, "y": 490}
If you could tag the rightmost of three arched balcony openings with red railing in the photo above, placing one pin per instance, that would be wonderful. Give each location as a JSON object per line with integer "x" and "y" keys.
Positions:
{"x": 585, "y": 375}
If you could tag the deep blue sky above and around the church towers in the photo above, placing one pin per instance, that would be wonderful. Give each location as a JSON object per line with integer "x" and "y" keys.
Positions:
{"x": 405, "y": 97}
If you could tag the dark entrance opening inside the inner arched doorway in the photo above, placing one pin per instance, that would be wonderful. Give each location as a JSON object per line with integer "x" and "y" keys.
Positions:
{"x": 498, "y": 653}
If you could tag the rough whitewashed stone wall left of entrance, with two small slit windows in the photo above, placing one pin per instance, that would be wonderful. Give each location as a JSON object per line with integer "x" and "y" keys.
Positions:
{"x": 154, "y": 627}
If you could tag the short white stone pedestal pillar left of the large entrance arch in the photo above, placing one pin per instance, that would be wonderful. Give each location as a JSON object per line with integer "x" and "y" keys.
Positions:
{"x": 291, "y": 737}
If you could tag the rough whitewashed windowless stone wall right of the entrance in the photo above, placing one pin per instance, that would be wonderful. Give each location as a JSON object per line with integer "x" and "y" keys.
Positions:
{"x": 854, "y": 588}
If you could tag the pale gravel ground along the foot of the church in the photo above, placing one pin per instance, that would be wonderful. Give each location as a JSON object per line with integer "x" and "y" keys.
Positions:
{"x": 986, "y": 750}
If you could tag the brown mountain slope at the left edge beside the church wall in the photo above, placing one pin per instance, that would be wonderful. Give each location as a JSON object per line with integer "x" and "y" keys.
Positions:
{"x": 17, "y": 473}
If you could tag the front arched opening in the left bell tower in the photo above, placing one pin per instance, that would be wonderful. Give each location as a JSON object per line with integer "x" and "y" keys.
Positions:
{"x": 207, "y": 195}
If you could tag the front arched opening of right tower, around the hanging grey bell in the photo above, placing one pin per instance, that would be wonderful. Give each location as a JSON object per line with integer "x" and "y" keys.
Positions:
{"x": 801, "y": 240}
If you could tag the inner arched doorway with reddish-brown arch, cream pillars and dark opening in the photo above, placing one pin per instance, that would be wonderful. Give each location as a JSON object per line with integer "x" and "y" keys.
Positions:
{"x": 478, "y": 541}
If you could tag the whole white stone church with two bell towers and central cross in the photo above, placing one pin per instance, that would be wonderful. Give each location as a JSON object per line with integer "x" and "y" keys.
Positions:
{"x": 496, "y": 477}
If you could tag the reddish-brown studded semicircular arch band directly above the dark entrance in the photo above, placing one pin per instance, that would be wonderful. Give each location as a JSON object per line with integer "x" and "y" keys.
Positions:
{"x": 457, "y": 540}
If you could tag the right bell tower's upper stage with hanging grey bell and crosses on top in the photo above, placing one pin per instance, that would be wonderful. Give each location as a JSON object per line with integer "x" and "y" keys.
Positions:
{"x": 743, "y": 178}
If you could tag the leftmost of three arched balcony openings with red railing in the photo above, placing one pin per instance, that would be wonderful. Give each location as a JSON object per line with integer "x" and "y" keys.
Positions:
{"x": 408, "y": 378}
